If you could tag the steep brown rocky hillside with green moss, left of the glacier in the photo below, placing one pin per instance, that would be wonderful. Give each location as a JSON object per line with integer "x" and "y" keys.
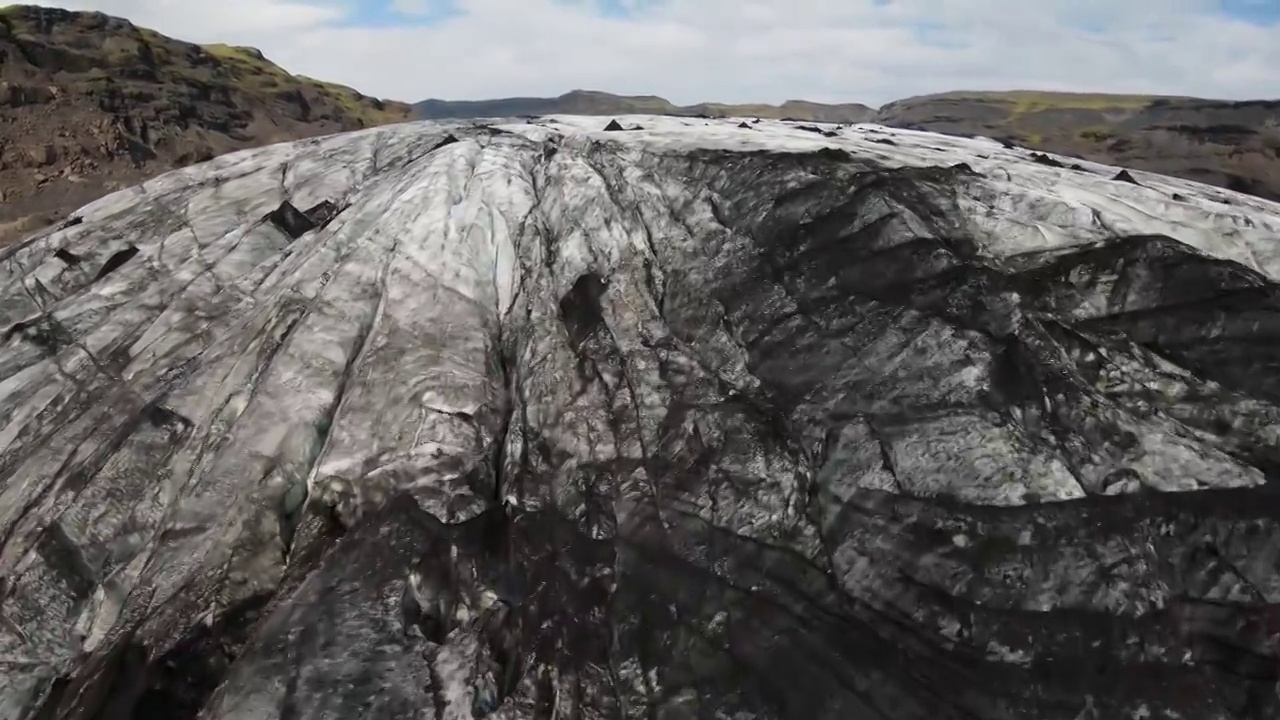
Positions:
{"x": 90, "y": 104}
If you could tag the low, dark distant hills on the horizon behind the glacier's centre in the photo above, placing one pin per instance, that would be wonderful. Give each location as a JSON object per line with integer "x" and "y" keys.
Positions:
{"x": 592, "y": 103}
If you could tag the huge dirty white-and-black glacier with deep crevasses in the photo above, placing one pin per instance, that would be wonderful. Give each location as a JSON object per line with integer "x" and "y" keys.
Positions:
{"x": 697, "y": 420}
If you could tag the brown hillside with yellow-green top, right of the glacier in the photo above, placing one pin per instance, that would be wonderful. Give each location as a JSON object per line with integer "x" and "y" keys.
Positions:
{"x": 1228, "y": 144}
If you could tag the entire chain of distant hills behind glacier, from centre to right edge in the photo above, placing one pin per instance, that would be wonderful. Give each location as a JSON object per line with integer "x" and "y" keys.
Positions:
{"x": 1223, "y": 143}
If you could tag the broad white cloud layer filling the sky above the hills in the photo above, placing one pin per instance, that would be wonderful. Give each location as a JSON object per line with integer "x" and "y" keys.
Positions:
{"x": 749, "y": 51}
